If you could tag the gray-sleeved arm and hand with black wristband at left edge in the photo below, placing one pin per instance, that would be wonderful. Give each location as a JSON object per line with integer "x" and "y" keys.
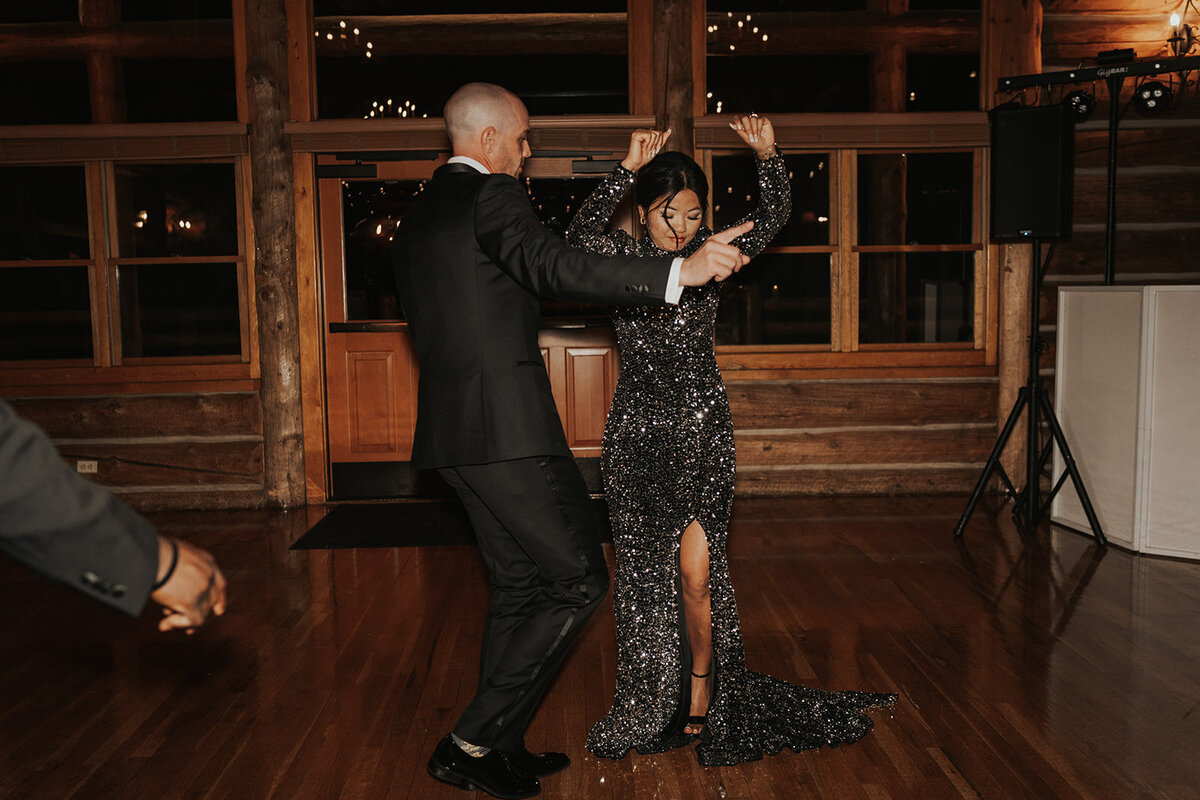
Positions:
{"x": 79, "y": 533}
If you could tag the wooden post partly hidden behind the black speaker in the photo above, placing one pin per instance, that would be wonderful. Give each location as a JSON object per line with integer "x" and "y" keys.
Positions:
{"x": 1012, "y": 45}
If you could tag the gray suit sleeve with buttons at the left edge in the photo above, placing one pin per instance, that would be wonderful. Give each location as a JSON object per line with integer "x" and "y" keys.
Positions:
{"x": 68, "y": 528}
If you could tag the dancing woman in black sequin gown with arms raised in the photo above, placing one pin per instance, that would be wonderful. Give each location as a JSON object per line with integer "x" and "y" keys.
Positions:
{"x": 668, "y": 462}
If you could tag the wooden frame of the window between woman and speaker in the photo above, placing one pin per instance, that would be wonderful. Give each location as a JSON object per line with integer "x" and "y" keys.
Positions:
{"x": 844, "y": 137}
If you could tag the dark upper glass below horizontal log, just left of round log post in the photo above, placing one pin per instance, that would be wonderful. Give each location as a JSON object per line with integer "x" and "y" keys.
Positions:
{"x": 185, "y": 91}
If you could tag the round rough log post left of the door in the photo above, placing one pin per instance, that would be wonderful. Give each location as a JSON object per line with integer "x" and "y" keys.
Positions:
{"x": 275, "y": 278}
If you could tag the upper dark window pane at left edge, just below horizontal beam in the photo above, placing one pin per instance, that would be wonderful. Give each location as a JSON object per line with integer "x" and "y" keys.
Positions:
{"x": 44, "y": 213}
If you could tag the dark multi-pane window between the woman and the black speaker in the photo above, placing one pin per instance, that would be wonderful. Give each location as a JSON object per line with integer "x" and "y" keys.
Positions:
{"x": 884, "y": 251}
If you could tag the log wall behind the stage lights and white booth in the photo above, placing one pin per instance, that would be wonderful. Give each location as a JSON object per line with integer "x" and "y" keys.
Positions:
{"x": 1157, "y": 206}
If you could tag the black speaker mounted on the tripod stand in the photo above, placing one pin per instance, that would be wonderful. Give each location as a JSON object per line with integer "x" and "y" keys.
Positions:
{"x": 1033, "y": 171}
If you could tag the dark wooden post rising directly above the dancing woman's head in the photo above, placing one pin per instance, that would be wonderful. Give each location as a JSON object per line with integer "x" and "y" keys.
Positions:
{"x": 680, "y": 76}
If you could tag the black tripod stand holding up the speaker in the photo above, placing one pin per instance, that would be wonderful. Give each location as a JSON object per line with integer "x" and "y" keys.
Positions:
{"x": 1029, "y": 507}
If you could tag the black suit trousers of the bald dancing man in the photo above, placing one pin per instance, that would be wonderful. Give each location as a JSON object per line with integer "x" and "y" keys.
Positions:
{"x": 538, "y": 536}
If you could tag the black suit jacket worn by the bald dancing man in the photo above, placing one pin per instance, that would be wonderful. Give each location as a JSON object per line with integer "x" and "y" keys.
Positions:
{"x": 472, "y": 261}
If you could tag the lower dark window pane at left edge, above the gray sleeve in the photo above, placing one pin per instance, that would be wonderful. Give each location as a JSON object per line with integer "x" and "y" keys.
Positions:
{"x": 45, "y": 314}
